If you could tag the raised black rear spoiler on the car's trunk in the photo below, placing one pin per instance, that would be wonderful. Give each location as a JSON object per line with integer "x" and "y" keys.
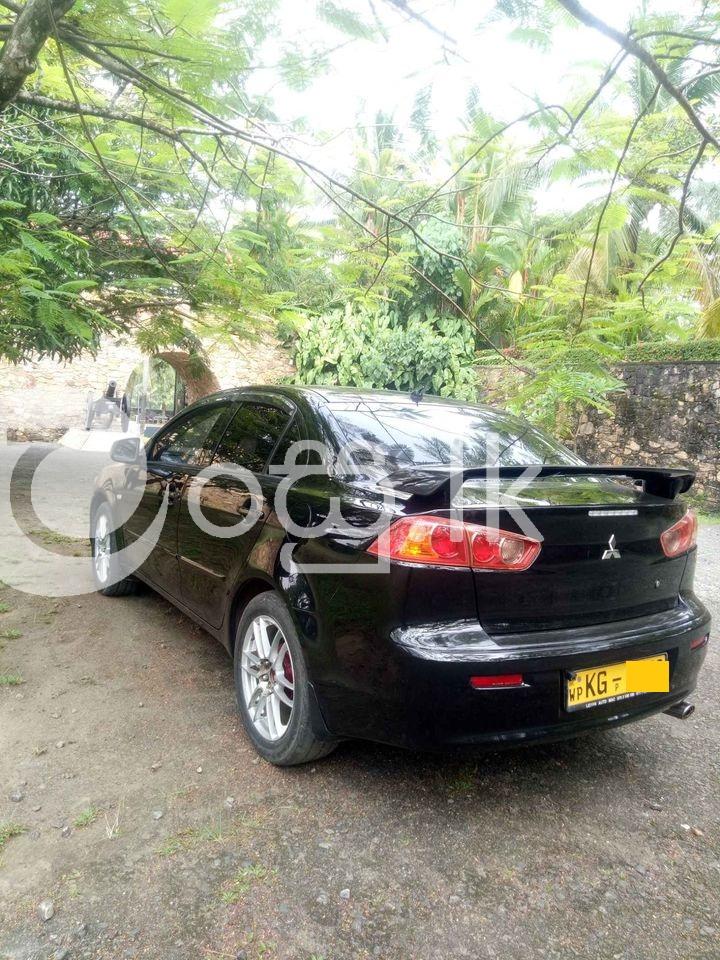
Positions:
{"x": 436, "y": 483}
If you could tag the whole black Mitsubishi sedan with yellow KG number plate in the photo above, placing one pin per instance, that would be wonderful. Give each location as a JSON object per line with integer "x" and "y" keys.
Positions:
{"x": 433, "y": 573}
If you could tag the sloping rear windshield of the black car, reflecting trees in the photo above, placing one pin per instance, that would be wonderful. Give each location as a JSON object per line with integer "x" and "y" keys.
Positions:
{"x": 398, "y": 436}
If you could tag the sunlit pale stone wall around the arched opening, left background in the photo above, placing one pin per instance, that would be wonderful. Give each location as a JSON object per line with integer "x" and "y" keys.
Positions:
{"x": 40, "y": 400}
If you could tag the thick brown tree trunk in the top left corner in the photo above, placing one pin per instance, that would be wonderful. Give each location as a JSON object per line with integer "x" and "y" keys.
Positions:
{"x": 34, "y": 24}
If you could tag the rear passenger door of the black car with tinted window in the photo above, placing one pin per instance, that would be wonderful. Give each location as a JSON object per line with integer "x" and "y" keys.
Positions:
{"x": 211, "y": 553}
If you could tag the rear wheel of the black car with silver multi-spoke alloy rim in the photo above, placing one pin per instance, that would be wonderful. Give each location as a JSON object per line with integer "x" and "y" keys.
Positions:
{"x": 275, "y": 711}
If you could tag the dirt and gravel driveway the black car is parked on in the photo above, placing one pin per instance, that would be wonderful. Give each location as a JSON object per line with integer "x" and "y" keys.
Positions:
{"x": 144, "y": 816}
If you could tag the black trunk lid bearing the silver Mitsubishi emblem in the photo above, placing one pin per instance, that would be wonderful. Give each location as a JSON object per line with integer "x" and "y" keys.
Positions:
{"x": 580, "y": 576}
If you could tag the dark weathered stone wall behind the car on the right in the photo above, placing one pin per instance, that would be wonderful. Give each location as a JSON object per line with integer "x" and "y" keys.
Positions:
{"x": 667, "y": 415}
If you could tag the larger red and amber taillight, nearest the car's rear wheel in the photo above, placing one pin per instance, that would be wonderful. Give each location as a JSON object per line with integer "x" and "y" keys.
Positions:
{"x": 447, "y": 542}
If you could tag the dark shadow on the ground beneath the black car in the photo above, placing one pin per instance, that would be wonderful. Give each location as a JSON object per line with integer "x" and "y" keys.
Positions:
{"x": 566, "y": 770}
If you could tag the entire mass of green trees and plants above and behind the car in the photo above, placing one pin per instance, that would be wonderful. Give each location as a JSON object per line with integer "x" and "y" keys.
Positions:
{"x": 146, "y": 186}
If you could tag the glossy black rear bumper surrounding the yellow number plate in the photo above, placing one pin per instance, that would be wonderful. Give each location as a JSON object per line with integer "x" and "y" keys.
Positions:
{"x": 420, "y": 695}
